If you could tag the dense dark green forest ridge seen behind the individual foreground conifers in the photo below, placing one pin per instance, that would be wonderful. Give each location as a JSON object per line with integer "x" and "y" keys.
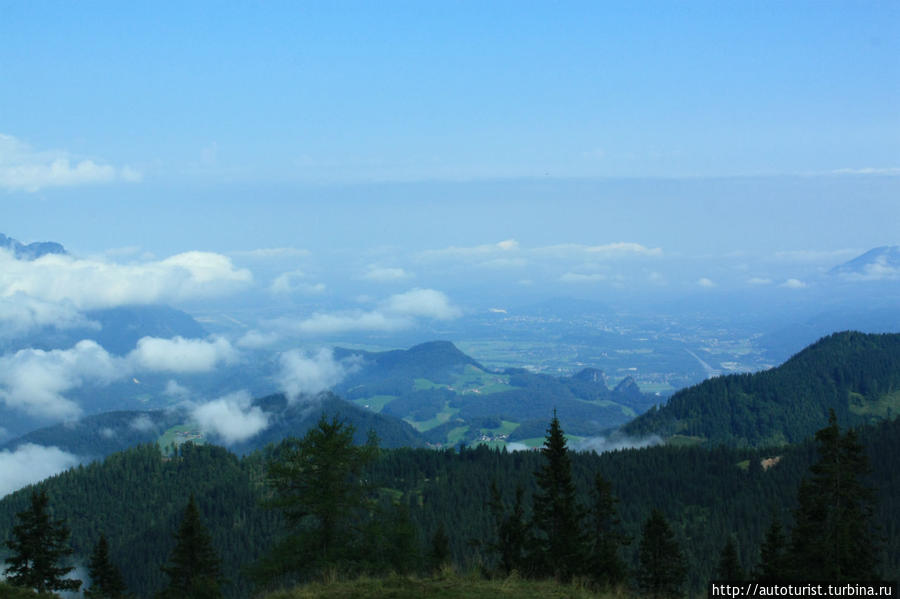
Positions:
{"x": 136, "y": 498}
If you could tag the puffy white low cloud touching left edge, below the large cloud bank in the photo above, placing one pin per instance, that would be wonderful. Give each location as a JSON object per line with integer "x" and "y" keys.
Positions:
{"x": 34, "y": 380}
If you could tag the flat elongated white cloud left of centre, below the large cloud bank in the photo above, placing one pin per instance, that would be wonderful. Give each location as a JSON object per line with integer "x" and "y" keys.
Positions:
{"x": 182, "y": 355}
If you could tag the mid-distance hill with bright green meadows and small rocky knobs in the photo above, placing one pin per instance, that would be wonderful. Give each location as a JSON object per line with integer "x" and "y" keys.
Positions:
{"x": 451, "y": 398}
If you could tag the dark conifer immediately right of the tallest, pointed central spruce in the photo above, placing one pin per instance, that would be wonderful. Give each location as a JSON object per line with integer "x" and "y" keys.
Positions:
{"x": 605, "y": 566}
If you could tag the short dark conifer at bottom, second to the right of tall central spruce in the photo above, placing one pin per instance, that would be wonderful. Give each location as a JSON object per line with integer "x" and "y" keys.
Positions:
{"x": 662, "y": 568}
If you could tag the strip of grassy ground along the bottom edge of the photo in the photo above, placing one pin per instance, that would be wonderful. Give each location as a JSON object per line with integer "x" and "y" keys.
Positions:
{"x": 442, "y": 587}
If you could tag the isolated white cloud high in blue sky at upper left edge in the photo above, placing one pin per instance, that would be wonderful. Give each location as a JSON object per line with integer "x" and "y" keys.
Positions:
{"x": 23, "y": 168}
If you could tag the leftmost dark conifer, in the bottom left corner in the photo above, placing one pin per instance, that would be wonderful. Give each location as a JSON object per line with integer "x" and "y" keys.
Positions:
{"x": 38, "y": 544}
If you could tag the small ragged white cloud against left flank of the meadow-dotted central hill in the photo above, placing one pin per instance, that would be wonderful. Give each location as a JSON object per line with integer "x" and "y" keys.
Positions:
{"x": 307, "y": 374}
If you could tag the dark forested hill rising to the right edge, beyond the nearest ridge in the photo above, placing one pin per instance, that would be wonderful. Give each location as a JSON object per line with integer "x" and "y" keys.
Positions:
{"x": 856, "y": 374}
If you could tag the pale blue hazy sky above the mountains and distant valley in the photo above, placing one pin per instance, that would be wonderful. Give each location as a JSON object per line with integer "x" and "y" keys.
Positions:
{"x": 372, "y": 135}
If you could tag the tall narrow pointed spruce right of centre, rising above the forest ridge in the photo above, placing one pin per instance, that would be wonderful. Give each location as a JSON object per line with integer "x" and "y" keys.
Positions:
{"x": 559, "y": 545}
